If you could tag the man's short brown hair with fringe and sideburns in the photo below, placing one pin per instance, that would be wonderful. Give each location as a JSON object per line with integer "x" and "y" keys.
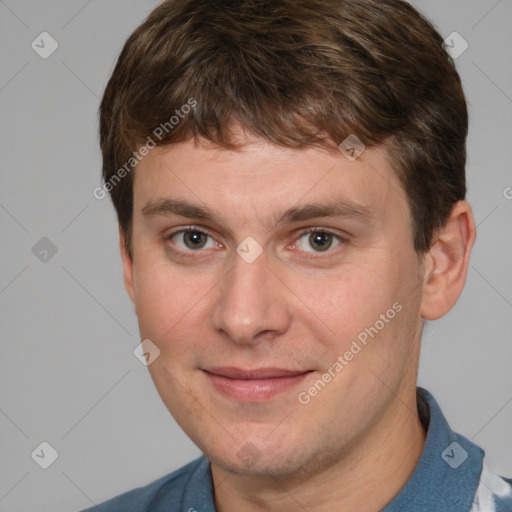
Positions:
{"x": 295, "y": 73}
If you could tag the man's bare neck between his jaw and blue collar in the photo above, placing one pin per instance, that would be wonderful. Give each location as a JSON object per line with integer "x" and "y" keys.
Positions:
{"x": 367, "y": 477}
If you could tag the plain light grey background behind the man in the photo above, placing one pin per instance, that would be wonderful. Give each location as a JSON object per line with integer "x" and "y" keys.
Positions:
{"x": 67, "y": 372}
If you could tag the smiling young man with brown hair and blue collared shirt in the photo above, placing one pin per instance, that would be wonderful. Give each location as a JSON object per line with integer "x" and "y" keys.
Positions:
{"x": 290, "y": 188}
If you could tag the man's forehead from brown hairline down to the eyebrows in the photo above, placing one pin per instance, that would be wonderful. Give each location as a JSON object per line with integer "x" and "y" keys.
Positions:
{"x": 265, "y": 180}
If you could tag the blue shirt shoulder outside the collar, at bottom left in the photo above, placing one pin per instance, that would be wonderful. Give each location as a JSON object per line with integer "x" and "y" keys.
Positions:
{"x": 139, "y": 500}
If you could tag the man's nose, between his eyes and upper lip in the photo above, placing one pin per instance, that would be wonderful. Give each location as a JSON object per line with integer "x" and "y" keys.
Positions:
{"x": 252, "y": 303}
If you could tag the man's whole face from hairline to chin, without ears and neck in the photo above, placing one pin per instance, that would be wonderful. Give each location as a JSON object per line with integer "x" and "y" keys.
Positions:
{"x": 283, "y": 293}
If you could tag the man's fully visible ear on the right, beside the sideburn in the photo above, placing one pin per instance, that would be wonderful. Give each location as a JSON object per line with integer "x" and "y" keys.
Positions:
{"x": 446, "y": 263}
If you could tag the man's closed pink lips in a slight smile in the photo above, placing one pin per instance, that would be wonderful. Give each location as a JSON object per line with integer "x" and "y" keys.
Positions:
{"x": 255, "y": 385}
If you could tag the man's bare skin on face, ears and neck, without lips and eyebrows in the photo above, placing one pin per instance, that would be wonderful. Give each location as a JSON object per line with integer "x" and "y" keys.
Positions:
{"x": 293, "y": 307}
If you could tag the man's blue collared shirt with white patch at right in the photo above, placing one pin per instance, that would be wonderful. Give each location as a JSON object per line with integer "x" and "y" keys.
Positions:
{"x": 451, "y": 476}
